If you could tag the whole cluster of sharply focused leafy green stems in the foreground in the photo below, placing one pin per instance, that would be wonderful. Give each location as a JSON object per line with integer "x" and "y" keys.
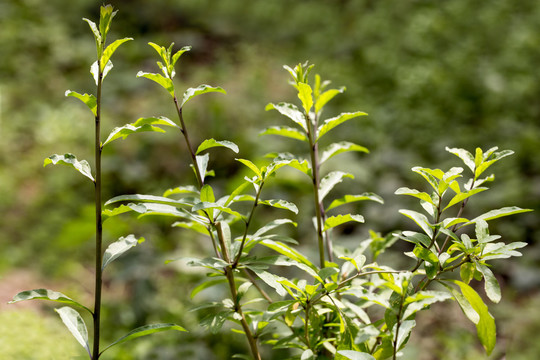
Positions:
{"x": 346, "y": 305}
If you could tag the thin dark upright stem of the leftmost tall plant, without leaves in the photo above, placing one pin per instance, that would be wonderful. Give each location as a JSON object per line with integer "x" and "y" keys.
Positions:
{"x": 99, "y": 228}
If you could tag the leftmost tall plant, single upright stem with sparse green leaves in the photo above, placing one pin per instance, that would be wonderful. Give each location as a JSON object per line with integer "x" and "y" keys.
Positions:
{"x": 71, "y": 318}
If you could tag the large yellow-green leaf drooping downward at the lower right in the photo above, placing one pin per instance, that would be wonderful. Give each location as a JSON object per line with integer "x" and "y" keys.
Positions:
{"x": 486, "y": 325}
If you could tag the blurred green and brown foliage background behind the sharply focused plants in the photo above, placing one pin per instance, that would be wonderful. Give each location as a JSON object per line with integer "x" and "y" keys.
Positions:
{"x": 429, "y": 73}
